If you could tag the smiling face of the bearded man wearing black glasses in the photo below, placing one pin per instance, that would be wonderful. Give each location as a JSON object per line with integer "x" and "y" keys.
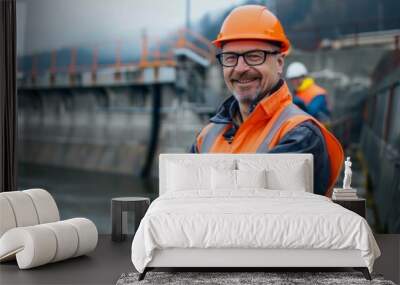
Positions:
{"x": 247, "y": 82}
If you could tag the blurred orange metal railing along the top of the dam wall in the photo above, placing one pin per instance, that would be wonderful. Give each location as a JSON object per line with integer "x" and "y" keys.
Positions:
{"x": 87, "y": 58}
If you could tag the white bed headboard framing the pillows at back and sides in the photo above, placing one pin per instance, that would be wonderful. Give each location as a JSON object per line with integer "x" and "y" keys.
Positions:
{"x": 269, "y": 159}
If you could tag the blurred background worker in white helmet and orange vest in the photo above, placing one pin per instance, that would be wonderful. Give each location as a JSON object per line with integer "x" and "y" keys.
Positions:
{"x": 308, "y": 93}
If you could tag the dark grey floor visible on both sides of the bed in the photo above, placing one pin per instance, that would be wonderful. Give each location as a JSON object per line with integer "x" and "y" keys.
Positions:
{"x": 111, "y": 259}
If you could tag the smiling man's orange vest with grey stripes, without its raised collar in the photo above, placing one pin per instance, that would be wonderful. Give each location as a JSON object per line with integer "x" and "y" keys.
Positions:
{"x": 261, "y": 139}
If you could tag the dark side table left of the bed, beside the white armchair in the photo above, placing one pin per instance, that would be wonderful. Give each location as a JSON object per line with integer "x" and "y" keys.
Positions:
{"x": 138, "y": 205}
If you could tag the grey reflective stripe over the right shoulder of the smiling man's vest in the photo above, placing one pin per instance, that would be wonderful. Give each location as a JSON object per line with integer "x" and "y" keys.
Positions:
{"x": 289, "y": 112}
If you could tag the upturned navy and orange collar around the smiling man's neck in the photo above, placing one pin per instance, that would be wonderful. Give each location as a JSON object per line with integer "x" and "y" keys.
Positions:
{"x": 264, "y": 107}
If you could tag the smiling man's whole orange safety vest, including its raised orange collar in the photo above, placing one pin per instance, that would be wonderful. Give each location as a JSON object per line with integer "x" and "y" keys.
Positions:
{"x": 272, "y": 118}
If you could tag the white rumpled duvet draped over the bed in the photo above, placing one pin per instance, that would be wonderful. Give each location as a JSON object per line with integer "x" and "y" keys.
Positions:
{"x": 253, "y": 218}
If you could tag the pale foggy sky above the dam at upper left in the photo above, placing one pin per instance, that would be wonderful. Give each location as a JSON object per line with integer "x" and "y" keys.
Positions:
{"x": 43, "y": 25}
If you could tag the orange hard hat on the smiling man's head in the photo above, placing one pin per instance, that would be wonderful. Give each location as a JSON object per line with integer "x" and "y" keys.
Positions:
{"x": 252, "y": 22}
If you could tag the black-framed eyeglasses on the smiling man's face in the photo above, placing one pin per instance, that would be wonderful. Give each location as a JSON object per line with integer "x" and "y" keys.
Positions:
{"x": 251, "y": 57}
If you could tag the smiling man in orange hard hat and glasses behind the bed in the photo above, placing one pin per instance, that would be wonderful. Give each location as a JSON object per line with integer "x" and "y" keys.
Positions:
{"x": 260, "y": 116}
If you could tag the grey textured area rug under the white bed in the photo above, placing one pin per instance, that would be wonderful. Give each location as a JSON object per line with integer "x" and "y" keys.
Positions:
{"x": 243, "y": 278}
